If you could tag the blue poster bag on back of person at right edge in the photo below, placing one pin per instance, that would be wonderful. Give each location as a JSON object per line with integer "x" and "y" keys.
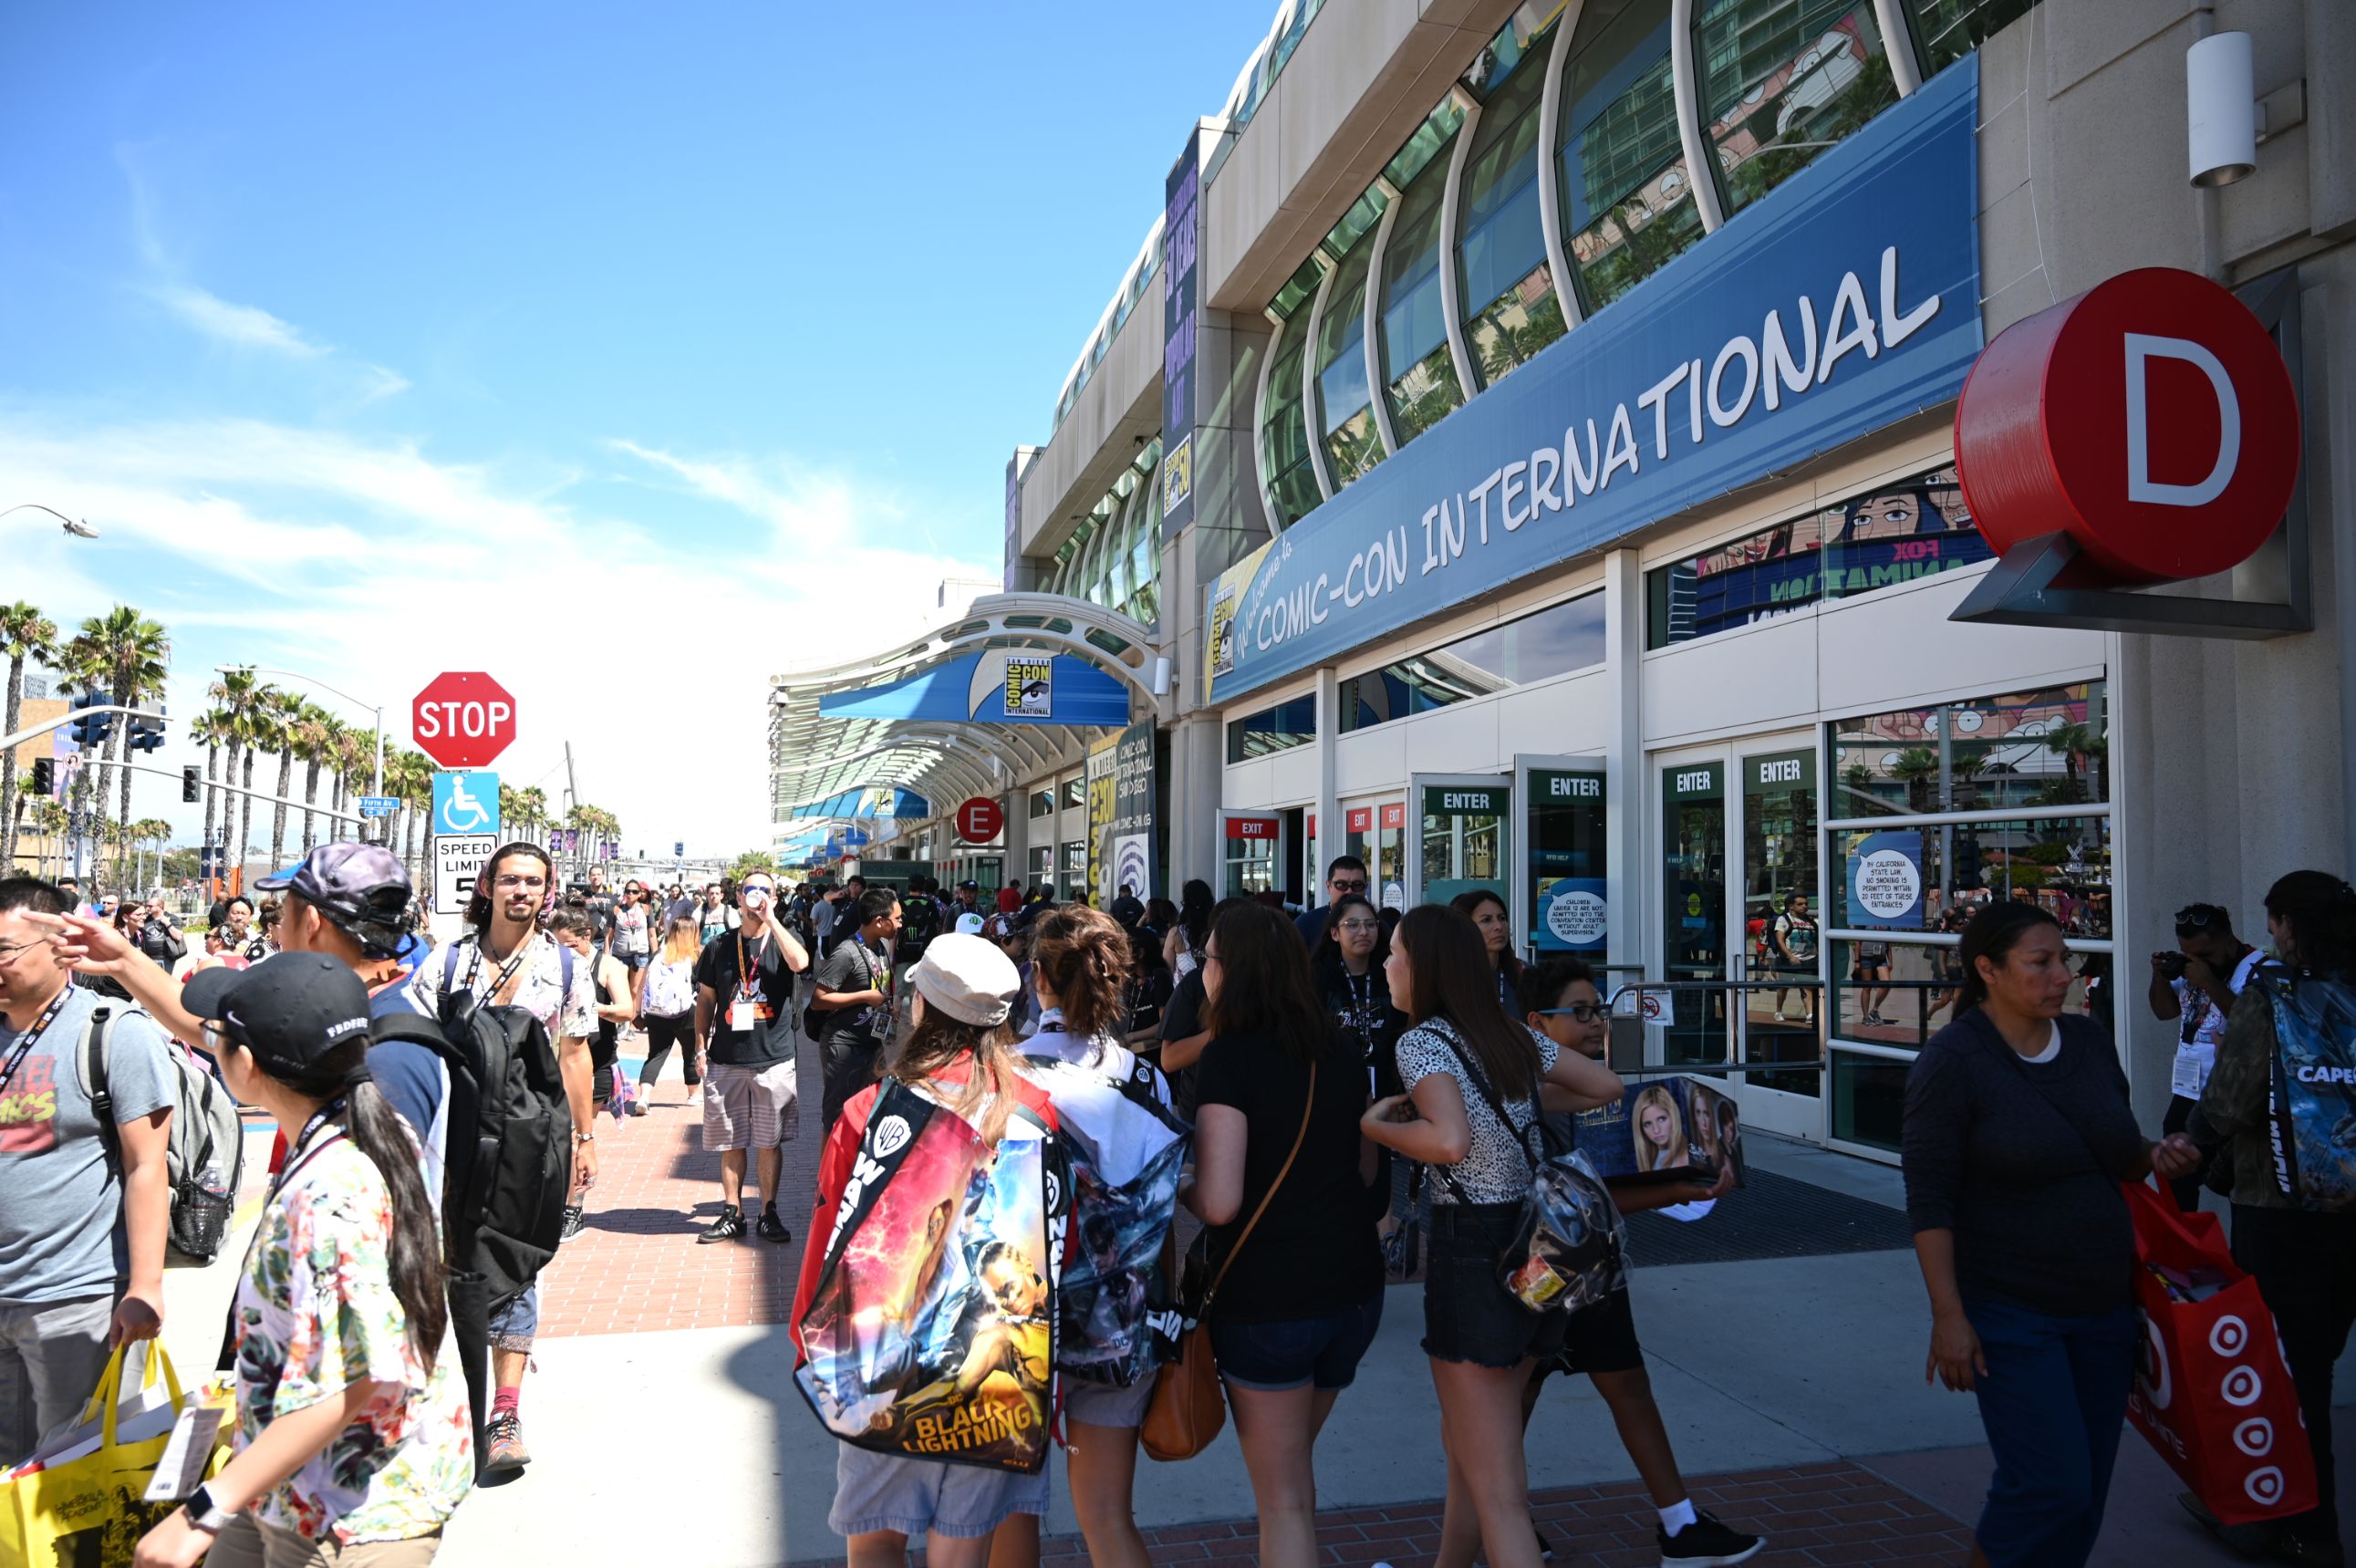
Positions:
{"x": 2312, "y": 1089}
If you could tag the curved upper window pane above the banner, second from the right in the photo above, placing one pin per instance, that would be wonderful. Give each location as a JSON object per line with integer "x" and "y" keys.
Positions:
{"x": 1782, "y": 81}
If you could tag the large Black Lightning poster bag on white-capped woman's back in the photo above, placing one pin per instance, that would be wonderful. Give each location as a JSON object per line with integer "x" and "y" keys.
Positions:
{"x": 932, "y": 1331}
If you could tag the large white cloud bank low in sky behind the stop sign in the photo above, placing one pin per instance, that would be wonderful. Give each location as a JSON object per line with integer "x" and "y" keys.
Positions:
{"x": 373, "y": 566}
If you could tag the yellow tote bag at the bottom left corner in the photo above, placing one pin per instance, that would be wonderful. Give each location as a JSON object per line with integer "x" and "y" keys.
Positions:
{"x": 88, "y": 1513}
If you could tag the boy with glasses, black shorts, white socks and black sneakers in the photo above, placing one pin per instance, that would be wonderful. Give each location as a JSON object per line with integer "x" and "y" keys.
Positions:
{"x": 1563, "y": 1004}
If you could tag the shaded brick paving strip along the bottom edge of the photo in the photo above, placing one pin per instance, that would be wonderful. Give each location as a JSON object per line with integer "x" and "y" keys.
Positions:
{"x": 1813, "y": 1517}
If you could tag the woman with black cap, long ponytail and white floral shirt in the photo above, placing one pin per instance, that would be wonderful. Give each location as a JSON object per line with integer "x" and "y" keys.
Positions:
{"x": 352, "y": 1437}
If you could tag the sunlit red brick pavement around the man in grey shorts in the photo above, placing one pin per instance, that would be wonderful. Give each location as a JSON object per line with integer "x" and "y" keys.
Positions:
{"x": 637, "y": 1263}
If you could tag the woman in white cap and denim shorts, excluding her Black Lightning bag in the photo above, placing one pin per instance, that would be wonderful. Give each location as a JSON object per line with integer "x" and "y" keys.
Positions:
{"x": 960, "y": 1056}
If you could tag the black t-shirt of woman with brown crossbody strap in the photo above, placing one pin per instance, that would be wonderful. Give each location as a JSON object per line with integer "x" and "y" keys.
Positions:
{"x": 1316, "y": 1247}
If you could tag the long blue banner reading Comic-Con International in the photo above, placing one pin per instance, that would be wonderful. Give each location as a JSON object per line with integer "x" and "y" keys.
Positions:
{"x": 1837, "y": 307}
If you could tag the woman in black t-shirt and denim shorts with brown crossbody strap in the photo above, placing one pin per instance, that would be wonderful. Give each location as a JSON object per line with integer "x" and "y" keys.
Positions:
{"x": 1302, "y": 1296}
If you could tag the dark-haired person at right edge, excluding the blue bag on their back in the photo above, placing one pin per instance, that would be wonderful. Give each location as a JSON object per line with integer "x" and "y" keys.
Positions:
{"x": 2303, "y": 1261}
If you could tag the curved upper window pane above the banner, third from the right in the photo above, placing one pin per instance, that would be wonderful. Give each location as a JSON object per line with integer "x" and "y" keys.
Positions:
{"x": 1627, "y": 194}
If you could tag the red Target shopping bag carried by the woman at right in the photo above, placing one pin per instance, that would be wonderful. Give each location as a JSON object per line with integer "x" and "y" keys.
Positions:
{"x": 2211, "y": 1388}
